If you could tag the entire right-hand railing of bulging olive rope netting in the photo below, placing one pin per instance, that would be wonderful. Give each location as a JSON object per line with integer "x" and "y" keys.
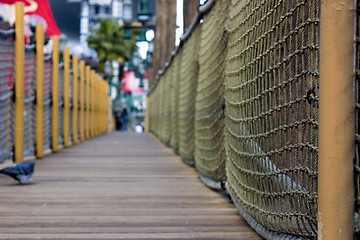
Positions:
{"x": 242, "y": 93}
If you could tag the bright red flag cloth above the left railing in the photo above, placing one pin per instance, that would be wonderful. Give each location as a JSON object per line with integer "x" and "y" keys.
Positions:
{"x": 39, "y": 10}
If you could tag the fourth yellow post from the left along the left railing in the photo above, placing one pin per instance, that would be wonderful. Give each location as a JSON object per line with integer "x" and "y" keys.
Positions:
{"x": 66, "y": 97}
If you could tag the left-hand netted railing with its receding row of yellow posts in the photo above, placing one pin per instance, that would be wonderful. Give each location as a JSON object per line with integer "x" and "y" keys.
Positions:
{"x": 51, "y": 94}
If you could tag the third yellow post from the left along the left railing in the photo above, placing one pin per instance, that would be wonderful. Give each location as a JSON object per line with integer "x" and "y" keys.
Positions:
{"x": 55, "y": 95}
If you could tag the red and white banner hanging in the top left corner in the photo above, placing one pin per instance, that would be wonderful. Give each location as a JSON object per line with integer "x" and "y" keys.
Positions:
{"x": 36, "y": 11}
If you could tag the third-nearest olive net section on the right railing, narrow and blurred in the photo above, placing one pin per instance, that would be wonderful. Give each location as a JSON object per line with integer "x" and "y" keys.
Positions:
{"x": 187, "y": 96}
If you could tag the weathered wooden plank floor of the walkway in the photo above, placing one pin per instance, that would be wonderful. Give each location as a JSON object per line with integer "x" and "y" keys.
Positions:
{"x": 116, "y": 186}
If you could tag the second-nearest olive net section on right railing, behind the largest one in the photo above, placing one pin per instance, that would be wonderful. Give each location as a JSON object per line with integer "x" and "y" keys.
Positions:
{"x": 209, "y": 114}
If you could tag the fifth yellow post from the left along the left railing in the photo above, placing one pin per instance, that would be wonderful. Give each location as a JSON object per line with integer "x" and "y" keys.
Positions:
{"x": 75, "y": 100}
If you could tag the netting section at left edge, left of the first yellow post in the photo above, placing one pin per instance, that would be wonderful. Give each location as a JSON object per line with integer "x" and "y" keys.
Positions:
{"x": 7, "y": 46}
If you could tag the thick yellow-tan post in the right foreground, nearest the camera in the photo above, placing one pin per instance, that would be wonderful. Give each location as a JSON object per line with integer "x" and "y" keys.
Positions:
{"x": 336, "y": 120}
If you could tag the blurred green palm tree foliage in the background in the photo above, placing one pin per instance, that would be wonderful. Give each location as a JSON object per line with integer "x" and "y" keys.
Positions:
{"x": 109, "y": 43}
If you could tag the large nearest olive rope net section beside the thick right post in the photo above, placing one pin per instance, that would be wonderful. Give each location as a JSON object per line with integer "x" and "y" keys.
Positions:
{"x": 272, "y": 112}
